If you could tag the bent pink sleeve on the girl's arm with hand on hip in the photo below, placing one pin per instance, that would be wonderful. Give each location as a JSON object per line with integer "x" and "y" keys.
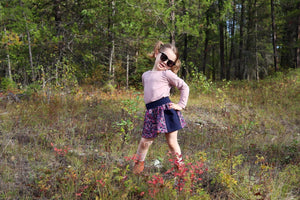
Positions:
{"x": 179, "y": 83}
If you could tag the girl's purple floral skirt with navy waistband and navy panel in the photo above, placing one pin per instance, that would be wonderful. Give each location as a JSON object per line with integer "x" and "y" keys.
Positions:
{"x": 159, "y": 118}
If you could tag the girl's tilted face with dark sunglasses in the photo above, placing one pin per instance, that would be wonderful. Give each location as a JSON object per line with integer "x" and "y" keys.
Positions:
{"x": 169, "y": 57}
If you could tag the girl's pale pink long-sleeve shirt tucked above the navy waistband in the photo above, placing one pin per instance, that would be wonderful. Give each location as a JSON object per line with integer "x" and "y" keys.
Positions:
{"x": 157, "y": 84}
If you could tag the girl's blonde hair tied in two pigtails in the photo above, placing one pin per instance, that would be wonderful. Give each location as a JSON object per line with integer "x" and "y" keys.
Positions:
{"x": 160, "y": 46}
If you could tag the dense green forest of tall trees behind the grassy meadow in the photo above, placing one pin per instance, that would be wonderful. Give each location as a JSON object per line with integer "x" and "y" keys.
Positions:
{"x": 99, "y": 41}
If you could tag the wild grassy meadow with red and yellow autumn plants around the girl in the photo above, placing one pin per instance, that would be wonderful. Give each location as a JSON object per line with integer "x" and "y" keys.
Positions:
{"x": 241, "y": 142}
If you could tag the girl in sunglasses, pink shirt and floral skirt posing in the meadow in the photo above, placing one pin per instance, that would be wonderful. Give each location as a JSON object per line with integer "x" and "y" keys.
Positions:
{"x": 162, "y": 116}
